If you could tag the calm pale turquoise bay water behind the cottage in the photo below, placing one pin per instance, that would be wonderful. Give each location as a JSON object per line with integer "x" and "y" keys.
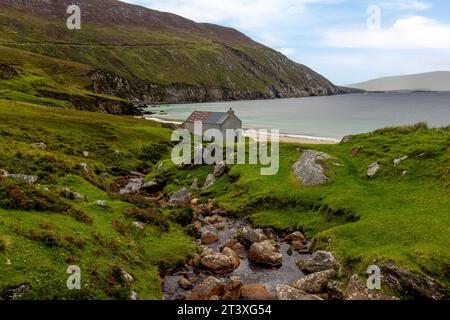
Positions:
{"x": 334, "y": 116}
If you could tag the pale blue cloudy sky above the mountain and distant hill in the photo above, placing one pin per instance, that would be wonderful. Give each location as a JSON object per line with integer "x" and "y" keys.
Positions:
{"x": 348, "y": 41}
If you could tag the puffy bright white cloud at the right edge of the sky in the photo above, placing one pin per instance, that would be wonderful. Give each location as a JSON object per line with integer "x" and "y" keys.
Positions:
{"x": 410, "y": 33}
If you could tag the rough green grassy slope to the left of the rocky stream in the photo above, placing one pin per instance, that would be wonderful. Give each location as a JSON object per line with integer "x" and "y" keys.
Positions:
{"x": 41, "y": 245}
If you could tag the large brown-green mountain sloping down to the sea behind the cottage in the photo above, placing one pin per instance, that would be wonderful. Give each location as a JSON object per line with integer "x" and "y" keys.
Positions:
{"x": 139, "y": 54}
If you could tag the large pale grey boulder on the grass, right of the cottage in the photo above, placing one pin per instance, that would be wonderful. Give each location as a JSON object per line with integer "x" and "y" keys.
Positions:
{"x": 308, "y": 170}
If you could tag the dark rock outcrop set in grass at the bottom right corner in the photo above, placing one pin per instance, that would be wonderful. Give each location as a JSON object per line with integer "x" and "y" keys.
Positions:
{"x": 408, "y": 283}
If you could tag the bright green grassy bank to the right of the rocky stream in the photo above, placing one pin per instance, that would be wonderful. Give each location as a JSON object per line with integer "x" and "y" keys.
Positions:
{"x": 394, "y": 217}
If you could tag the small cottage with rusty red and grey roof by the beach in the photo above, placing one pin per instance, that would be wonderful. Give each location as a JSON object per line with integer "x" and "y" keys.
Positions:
{"x": 215, "y": 120}
